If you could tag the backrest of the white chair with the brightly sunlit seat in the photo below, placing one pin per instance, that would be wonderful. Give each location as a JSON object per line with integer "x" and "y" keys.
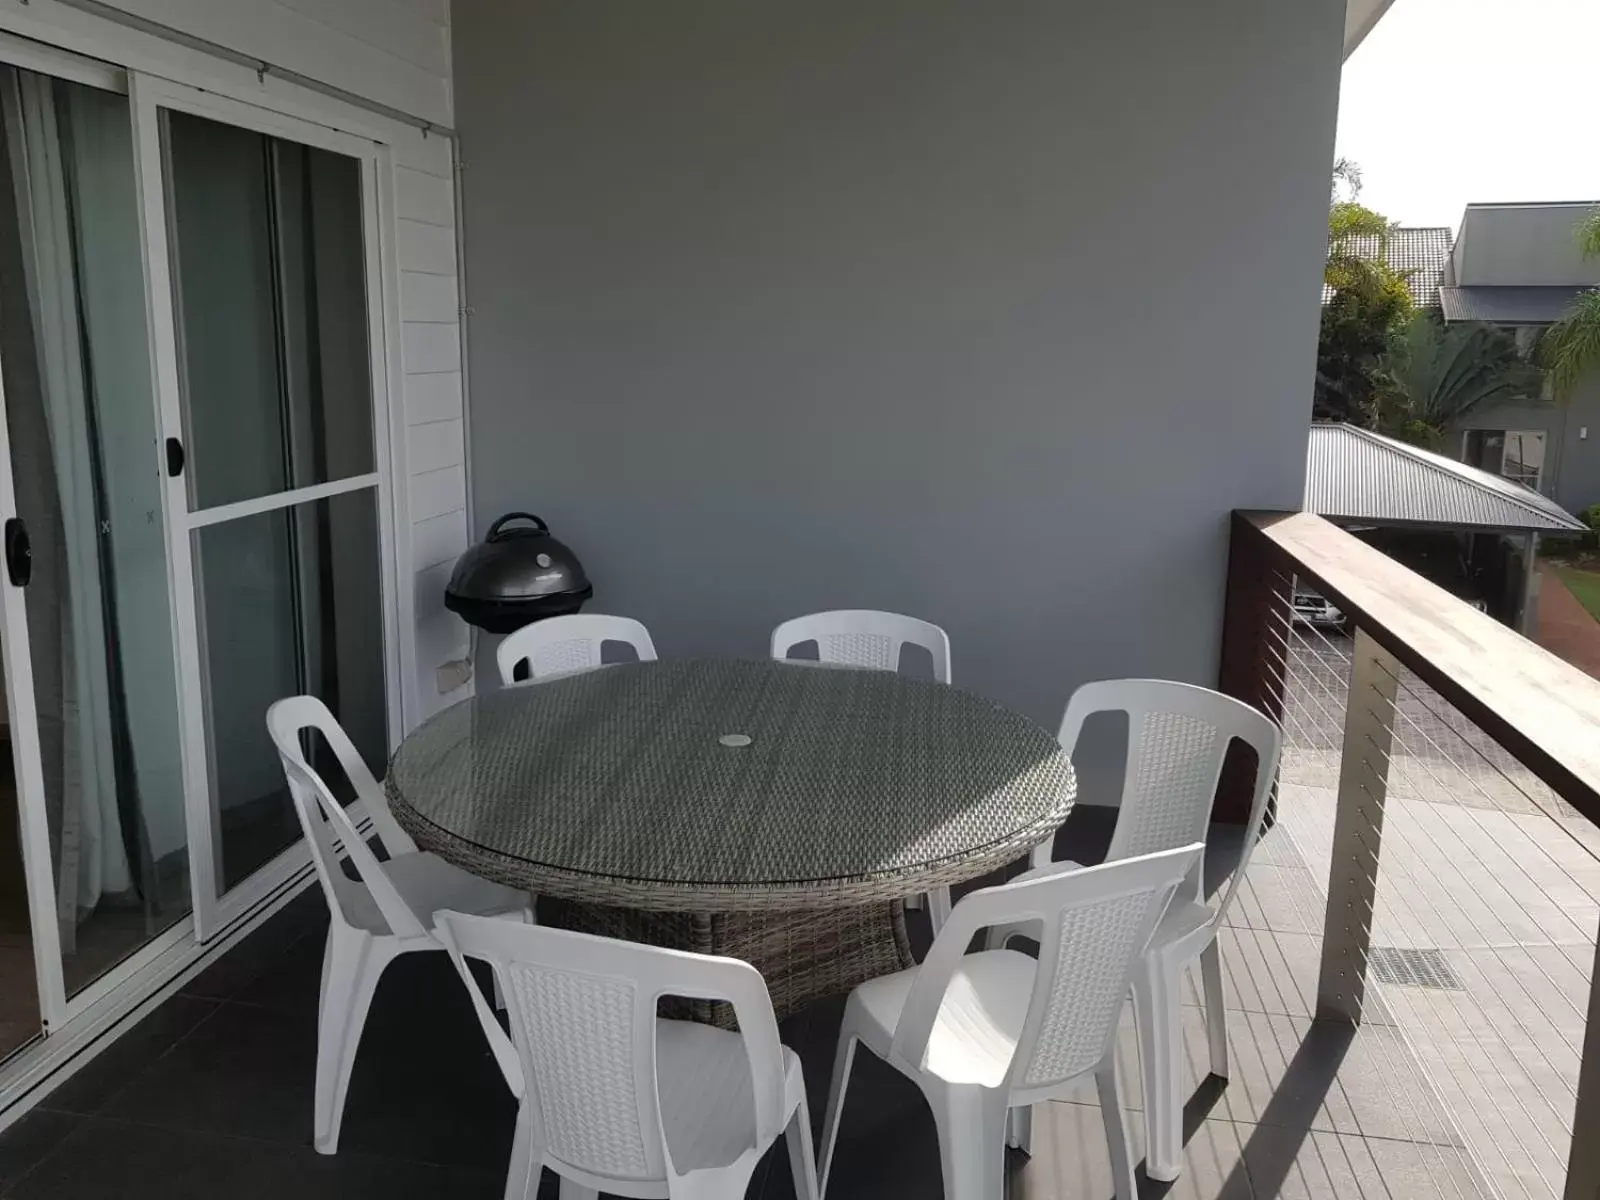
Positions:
{"x": 1095, "y": 926}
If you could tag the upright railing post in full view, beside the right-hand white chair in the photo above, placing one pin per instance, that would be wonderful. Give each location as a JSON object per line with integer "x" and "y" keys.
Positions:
{"x": 1358, "y": 833}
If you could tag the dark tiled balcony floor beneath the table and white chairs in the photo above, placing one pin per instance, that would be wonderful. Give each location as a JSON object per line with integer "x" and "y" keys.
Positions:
{"x": 210, "y": 1097}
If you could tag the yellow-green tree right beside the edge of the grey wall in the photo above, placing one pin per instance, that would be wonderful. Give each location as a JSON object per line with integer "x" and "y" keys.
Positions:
{"x": 1370, "y": 302}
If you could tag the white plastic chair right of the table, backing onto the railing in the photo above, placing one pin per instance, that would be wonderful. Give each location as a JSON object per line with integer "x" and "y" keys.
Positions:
{"x": 1178, "y": 737}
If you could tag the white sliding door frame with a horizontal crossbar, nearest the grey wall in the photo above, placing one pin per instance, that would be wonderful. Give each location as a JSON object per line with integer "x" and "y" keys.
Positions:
{"x": 215, "y": 911}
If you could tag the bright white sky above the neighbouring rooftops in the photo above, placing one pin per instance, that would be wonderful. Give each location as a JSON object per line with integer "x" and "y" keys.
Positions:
{"x": 1452, "y": 102}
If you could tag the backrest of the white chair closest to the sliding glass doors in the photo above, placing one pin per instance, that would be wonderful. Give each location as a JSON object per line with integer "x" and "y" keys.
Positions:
{"x": 329, "y": 828}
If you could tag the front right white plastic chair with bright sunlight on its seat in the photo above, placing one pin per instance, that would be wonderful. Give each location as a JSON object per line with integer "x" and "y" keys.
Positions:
{"x": 982, "y": 1033}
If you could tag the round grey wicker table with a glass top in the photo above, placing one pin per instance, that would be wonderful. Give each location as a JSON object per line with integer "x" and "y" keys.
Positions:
{"x": 774, "y": 812}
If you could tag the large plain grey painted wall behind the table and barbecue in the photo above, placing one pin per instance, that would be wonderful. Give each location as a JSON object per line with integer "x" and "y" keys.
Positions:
{"x": 988, "y": 314}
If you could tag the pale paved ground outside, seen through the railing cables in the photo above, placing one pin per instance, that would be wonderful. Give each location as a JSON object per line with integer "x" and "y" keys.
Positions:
{"x": 1487, "y": 911}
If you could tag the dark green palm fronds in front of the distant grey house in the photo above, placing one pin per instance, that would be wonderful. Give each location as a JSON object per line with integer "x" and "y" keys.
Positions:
{"x": 1434, "y": 375}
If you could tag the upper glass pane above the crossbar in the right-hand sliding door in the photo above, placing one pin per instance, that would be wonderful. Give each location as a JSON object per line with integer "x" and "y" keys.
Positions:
{"x": 271, "y": 286}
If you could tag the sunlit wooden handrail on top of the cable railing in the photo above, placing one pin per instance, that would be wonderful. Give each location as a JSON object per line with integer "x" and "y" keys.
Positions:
{"x": 1545, "y": 711}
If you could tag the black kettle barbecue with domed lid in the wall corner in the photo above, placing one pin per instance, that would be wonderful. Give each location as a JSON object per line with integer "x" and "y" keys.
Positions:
{"x": 516, "y": 575}
